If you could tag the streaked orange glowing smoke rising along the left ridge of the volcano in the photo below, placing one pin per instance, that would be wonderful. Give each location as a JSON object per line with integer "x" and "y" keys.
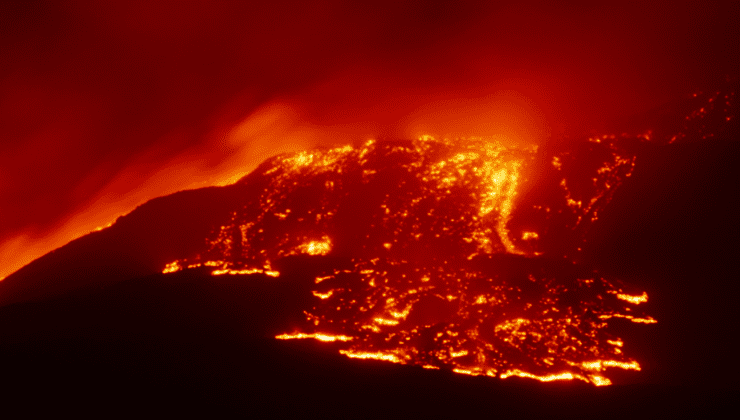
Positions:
{"x": 270, "y": 130}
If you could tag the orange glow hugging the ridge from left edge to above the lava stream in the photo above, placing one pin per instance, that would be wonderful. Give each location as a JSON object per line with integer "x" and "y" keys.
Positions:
{"x": 233, "y": 150}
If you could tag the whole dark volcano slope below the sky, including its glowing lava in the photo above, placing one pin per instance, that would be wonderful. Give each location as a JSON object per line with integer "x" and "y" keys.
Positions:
{"x": 478, "y": 269}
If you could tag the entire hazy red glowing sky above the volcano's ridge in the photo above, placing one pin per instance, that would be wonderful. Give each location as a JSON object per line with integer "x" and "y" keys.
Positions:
{"x": 106, "y": 105}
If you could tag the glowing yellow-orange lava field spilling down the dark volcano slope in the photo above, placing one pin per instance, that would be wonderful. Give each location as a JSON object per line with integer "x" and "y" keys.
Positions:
{"x": 434, "y": 256}
